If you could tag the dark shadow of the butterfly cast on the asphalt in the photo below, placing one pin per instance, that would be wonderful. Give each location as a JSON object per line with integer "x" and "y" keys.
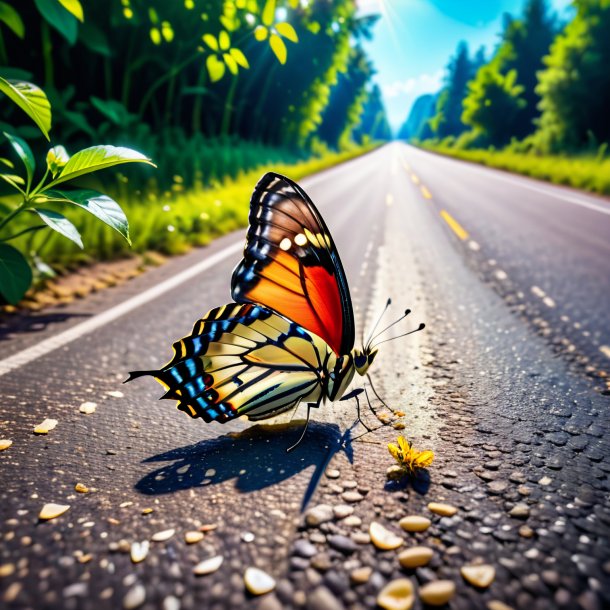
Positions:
{"x": 256, "y": 458}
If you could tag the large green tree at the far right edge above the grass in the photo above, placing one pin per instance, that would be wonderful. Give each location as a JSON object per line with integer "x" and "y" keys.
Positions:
{"x": 575, "y": 86}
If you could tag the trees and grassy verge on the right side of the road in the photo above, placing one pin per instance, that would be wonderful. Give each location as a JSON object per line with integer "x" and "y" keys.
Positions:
{"x": 537, "y": 104}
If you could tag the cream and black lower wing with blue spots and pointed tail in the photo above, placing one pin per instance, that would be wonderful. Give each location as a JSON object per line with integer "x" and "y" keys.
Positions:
{"x": 243, "y": 360}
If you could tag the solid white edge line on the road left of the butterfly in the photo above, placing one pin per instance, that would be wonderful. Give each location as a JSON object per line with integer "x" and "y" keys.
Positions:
{"x": 52, "y": 343}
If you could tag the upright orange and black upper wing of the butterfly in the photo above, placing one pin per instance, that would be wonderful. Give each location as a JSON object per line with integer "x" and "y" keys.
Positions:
{"x": 291, "y": 264}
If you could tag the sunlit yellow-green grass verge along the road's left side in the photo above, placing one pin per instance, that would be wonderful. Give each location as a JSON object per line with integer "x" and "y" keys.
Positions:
{"x": 169, "y": 221}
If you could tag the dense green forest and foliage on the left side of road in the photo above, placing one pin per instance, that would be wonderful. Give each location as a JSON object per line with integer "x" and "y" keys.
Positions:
{"x": 192, "y": 98}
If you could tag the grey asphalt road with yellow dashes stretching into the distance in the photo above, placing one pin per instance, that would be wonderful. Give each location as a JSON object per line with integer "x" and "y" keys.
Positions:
{"x": 518, "y": 424}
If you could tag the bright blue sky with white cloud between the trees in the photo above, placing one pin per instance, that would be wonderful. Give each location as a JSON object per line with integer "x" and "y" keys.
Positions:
{"x": 414, "y": 40}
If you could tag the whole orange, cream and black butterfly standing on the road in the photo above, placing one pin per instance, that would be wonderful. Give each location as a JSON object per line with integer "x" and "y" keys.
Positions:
{"x": 289, "y": 336}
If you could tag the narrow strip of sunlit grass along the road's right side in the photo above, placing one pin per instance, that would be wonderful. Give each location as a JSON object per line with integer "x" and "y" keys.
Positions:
{"x": 587, "y": 172}
